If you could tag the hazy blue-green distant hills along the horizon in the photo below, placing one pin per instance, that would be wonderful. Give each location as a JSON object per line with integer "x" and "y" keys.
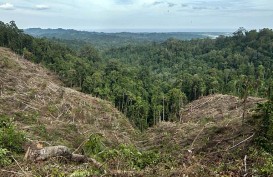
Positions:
{"x": 108, "y": 40}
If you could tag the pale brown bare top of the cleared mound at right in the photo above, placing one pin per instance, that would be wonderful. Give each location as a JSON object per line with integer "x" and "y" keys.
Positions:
{"x": 217, "y": 107}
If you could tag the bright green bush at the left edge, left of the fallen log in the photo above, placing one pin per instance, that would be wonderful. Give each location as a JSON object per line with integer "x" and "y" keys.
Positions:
{"x": 10, "y": 138}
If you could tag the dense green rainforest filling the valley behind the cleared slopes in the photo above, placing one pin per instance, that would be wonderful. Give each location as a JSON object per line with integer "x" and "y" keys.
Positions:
{"x": 150, "y": 82}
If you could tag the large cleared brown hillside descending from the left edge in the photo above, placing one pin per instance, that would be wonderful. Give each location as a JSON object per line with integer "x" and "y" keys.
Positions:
{"x": 50, "y": 114}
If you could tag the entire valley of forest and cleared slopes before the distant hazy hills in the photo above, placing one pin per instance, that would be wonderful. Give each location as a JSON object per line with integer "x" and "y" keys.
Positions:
{"x": 199, "y": 107}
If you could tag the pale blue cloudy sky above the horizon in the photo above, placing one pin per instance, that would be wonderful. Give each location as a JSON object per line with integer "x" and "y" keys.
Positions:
{"x": 139, "y": 15}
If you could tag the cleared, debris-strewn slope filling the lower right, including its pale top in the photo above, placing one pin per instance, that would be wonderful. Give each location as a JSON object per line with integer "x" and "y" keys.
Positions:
{"x": 211, "y": 139}
